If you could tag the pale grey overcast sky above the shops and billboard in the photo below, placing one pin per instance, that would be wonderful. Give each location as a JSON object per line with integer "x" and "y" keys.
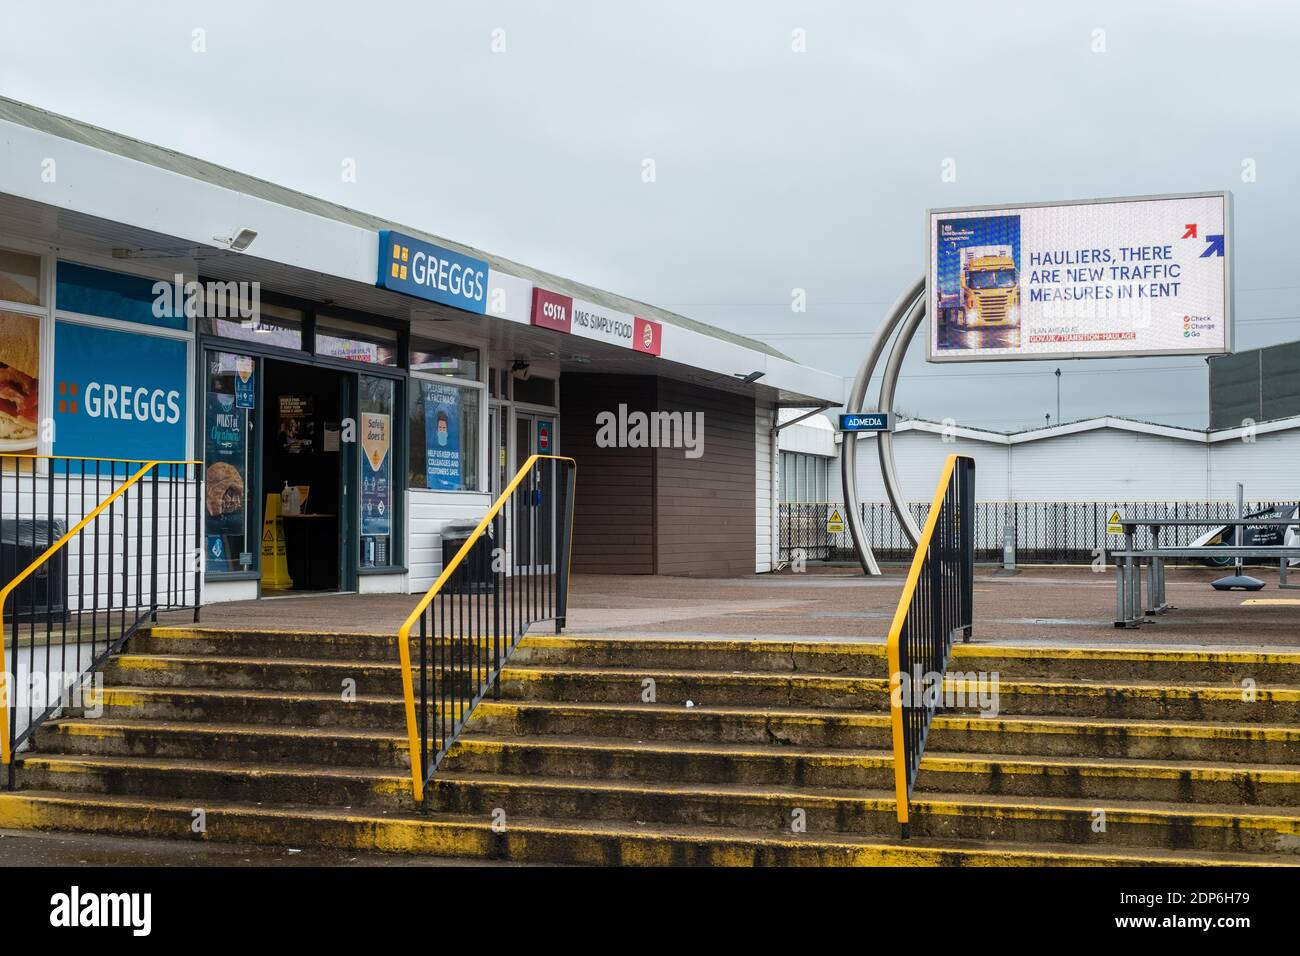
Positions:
{"x": 775, "y": 170}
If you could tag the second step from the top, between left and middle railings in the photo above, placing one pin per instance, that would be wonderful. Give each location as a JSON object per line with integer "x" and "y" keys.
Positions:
{"x": 263, "y": 673}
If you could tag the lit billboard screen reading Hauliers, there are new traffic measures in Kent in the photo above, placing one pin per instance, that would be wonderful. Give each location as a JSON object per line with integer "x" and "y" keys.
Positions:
{"x": 1106, "y": 279}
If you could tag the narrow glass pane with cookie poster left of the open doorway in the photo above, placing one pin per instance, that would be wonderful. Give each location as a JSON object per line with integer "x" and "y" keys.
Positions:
{"x": 228, "y": 456}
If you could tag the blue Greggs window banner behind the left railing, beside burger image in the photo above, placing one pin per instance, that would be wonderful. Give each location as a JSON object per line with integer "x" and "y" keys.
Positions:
{"x": 119, "y": 395}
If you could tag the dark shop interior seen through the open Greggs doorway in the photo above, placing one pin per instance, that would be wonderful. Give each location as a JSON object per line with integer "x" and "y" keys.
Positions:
{"x": 302, "y": 464}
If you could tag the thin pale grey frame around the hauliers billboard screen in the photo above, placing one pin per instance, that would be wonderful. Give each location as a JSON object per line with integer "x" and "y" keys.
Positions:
{"x": 1229, "y": 267}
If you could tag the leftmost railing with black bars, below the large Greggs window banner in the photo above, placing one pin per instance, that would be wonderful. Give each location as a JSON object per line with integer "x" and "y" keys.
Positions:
{"x": 90, "y": 550}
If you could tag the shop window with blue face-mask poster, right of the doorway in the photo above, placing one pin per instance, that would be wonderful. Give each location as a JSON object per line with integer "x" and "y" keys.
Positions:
{"x": 445, "y": 435}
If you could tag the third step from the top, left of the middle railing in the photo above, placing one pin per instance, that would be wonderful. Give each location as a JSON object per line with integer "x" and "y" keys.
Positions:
{"x": 276, "y": 708}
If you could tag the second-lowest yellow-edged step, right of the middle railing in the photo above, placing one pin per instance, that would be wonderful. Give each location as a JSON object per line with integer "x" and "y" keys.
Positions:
{"x": 872, "y": 814}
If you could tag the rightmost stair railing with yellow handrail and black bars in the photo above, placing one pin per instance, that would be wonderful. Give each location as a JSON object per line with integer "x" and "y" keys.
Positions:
{"x": 937, "y": 603}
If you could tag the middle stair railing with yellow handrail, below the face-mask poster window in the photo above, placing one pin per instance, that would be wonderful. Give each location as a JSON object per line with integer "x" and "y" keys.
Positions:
{"x": 512, "y": 573}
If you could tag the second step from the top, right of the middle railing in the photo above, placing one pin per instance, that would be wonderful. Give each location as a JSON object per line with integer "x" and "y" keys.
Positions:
{"x": 1128, "y": 700}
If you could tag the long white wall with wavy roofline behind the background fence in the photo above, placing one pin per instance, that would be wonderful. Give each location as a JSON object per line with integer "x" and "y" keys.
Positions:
{"x": 1103, "y": 465}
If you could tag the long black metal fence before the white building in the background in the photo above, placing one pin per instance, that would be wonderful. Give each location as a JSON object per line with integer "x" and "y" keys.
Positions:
{"x": 1042, "y": 533}
